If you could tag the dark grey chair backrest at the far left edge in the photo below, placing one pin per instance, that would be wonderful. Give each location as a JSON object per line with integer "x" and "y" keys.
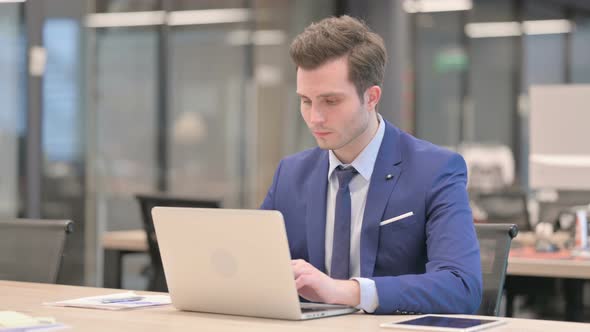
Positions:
{"x": 31, "y": 249}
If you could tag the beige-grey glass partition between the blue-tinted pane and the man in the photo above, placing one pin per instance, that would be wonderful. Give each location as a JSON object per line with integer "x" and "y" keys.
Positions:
{"x": 188, "y": 98}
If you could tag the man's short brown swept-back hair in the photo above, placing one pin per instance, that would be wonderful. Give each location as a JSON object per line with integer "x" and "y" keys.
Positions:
{"x": 335, "y": 37}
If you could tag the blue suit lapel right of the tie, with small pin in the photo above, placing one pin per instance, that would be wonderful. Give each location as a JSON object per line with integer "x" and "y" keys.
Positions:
{"x": 386, "y": 173}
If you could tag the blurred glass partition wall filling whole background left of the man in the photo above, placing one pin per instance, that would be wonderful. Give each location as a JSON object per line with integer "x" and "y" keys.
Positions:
{"x": 190, "y": 98}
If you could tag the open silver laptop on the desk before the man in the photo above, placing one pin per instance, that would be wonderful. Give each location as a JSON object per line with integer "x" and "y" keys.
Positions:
{"x": 233, "y": 262}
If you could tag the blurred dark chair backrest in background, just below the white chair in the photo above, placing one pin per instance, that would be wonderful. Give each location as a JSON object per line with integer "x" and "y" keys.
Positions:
{"x": 504, "y": 207}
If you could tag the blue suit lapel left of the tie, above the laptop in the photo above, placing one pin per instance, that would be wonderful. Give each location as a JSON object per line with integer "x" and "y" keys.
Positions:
{"x": 316, "y": 213}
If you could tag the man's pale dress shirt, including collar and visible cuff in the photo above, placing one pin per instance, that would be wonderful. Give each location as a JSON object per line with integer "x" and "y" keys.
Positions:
{"x": 358, "y": 186}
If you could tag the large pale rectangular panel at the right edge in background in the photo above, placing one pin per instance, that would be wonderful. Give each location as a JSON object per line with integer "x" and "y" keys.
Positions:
{"x": 559, "y": 151}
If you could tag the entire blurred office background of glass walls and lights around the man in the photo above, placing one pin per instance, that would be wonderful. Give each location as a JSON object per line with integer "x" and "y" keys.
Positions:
{"x": 104, "y": 99}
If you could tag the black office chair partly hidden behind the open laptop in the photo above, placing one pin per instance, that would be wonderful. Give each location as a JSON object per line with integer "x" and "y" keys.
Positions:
{"x": 157, "y": 279}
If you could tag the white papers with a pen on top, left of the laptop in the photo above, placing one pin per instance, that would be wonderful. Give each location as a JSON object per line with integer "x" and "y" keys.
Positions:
{"x": 95, "y": 302}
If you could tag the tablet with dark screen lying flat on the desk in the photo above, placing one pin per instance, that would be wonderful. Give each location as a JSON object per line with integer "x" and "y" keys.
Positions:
{"x": 445, "y": 323}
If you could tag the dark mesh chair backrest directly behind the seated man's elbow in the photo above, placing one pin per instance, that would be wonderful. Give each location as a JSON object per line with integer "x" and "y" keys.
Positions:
{"x": 494, "y": 244}
